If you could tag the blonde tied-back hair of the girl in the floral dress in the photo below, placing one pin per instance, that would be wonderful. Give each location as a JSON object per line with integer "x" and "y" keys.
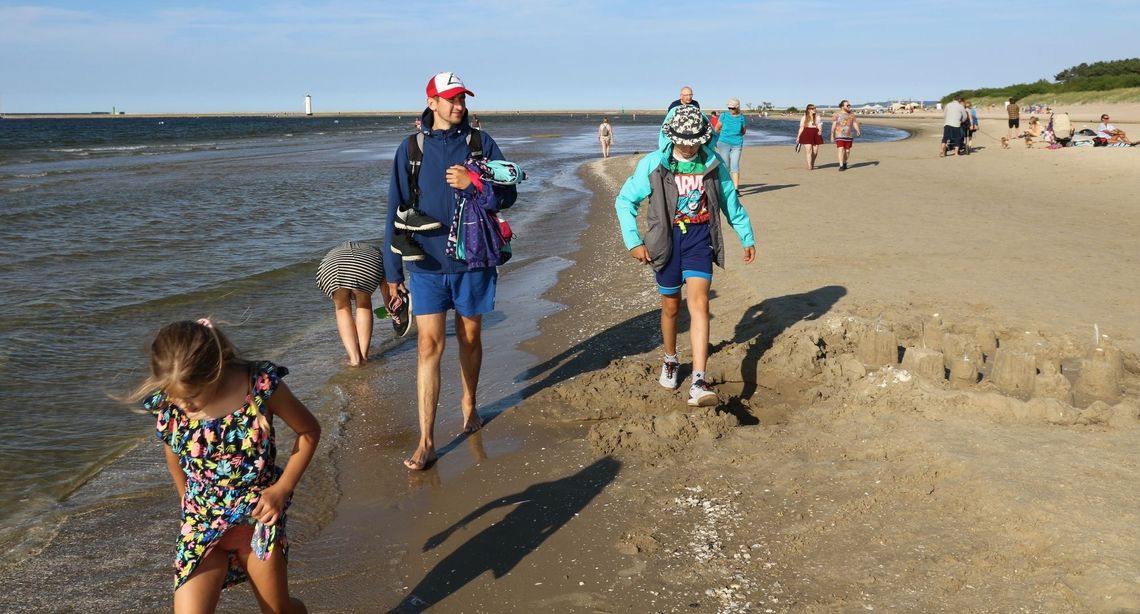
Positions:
{"x": 188, "y": 357}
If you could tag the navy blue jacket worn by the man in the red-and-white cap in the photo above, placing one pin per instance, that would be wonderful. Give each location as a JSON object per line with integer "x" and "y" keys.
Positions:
{"x": 443, "y": 149}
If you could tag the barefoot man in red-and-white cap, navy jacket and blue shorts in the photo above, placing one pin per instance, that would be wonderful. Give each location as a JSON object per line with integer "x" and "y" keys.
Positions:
{"x": 437, "y": 283}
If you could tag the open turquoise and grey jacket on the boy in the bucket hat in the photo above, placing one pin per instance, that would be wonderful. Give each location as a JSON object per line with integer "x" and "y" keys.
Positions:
{"x": 654, "y": 181}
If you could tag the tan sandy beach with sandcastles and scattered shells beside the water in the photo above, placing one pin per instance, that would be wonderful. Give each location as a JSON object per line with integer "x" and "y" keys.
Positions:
{"x": 994, "y": 471}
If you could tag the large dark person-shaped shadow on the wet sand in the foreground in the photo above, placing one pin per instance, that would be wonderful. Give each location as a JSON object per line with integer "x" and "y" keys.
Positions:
{"x": 539, "y": 513}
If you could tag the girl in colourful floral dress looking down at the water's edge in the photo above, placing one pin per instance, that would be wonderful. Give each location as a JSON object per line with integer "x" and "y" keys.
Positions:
{"x": 216, "y": 415}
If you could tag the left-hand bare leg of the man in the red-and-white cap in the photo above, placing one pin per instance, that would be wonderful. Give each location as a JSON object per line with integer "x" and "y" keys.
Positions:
{"x": 430, "y": 342}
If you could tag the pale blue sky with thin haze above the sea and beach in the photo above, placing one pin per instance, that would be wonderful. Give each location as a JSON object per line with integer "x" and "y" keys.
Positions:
{"x": 377, "y": 55}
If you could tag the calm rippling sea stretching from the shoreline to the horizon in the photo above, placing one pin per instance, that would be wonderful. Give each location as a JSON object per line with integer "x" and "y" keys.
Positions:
{"x": 113, "y": 227}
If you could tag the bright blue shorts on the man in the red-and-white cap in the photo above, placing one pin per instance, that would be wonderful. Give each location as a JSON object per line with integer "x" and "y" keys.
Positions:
{"x": 470, "y": 293}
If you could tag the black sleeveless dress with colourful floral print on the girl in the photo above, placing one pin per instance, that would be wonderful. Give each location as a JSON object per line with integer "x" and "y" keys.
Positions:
{"x": 229, "y": 462}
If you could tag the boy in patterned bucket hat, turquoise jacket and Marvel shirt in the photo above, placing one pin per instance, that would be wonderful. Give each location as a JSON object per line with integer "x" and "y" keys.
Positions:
{"x": 688, "y": 191}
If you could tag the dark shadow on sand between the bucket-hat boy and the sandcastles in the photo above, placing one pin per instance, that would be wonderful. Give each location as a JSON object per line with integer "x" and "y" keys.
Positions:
{"x": 770, "y": 318}
